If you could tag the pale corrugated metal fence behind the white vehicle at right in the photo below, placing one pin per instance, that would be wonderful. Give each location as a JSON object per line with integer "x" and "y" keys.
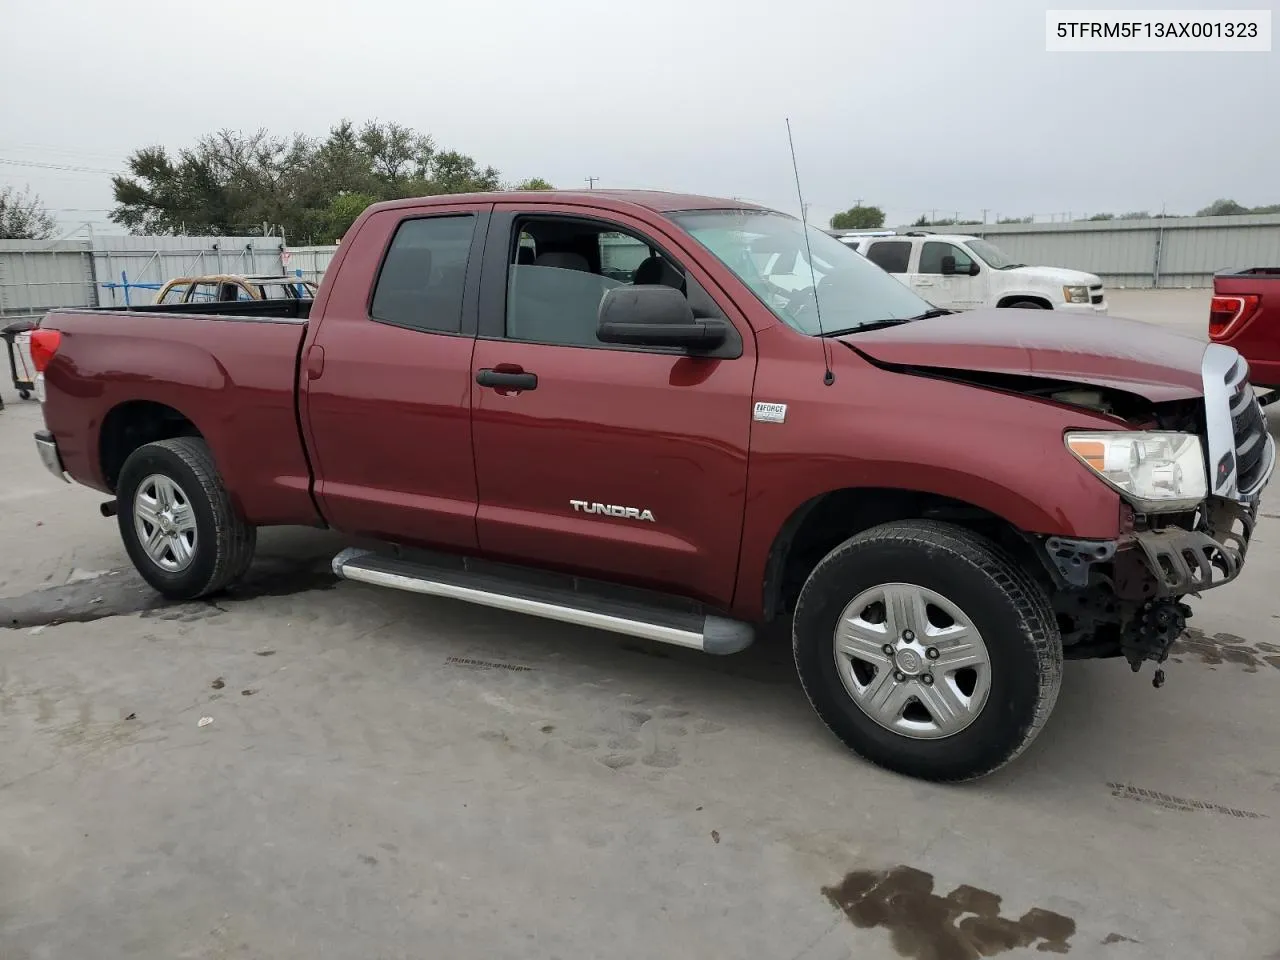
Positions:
{"x": 1183, "y": 252}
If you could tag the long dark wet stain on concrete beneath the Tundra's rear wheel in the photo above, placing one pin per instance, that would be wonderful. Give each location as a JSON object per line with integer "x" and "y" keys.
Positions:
{"x": 124, "y": 593}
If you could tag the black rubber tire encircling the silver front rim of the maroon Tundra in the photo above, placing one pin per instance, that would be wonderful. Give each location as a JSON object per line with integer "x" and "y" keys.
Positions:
{"x": 1003, "y": 602}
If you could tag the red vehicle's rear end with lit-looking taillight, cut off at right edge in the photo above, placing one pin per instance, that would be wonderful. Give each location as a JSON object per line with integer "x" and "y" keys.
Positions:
{"x": 1245, "y": 314}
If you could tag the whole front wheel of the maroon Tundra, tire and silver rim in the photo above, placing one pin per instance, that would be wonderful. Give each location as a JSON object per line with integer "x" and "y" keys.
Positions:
{"x": 927, "y": 651}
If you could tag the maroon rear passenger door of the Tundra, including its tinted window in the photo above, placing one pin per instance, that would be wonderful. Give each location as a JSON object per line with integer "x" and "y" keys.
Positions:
{"x": 387, "y": 380}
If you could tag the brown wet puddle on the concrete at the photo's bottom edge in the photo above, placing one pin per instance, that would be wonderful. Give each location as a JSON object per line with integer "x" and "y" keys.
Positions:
{"x": 966, "y": 925}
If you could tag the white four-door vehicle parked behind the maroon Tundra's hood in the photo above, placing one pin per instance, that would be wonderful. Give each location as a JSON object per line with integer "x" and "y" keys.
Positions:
{"x": 961, "y": 273}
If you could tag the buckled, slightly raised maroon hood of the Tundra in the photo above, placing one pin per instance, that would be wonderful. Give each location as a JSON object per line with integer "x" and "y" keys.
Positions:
{"x": 1099, "y": 351}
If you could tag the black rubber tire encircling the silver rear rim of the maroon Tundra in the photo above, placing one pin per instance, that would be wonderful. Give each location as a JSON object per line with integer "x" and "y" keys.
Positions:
{"x": 225, "y": 543}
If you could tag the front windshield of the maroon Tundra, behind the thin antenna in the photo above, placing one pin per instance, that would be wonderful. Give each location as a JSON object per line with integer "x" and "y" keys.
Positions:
{"x": 767, "y": 252}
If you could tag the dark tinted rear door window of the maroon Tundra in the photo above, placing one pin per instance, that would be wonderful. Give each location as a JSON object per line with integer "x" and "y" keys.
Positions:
{"x": 423, "y": 277}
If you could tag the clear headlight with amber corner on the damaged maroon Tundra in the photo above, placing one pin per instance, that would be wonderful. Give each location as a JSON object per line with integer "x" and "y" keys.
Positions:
{"x": 1155, "y": 472}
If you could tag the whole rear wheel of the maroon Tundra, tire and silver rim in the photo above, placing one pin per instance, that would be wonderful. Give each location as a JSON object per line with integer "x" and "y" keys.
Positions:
{"x": 177, "y": 520}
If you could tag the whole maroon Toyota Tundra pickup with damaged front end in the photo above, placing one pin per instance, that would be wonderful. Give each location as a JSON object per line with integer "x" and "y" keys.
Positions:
{"x": 602, "y": 409}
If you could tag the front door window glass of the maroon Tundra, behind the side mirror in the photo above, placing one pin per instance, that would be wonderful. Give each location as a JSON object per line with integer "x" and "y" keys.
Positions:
{"x": 560, "y": 271}
